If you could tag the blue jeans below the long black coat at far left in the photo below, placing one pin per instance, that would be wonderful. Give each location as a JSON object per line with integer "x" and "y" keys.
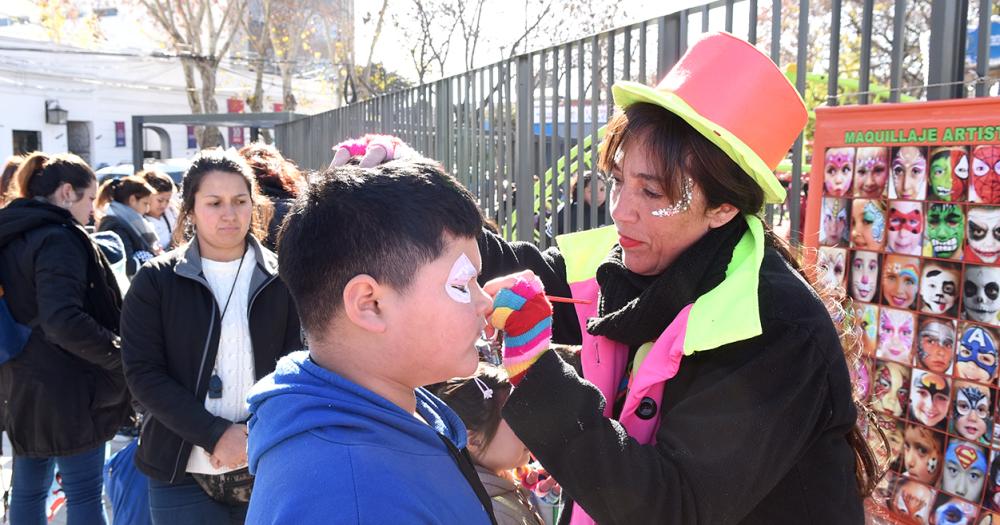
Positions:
{"x": 82, "y": 481}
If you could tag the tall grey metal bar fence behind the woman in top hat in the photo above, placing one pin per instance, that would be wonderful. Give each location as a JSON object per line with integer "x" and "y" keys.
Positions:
{"x": 503, "y": 128}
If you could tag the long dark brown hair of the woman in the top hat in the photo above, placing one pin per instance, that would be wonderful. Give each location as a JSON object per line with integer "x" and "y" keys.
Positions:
{"x": 677, "y": 148}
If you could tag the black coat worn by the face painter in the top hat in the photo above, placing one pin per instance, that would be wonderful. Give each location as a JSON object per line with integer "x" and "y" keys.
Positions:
{"x": 754, "y": 432}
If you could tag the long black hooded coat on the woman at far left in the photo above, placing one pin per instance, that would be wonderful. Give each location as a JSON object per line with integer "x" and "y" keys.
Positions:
{"x": 65, "y": 393}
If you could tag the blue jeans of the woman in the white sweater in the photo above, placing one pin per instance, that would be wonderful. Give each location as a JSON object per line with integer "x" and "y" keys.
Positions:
{"x": 185, "y": 502}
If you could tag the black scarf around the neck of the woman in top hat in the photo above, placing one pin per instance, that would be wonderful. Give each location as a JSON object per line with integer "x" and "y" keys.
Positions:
{"x": 635, "y": 309}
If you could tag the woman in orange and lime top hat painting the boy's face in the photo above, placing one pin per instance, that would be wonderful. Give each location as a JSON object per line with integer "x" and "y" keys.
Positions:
{"x": 712, "y": 385}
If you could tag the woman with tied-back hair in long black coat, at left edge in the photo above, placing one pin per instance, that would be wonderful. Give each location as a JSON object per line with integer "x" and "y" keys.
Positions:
{"x": 65, "y": 394}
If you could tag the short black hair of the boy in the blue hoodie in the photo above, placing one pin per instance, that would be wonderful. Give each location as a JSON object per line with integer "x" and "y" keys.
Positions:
{"x": 385, "y": 222}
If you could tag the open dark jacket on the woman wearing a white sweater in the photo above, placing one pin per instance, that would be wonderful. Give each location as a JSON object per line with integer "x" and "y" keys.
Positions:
{"x": 170, "y": 338}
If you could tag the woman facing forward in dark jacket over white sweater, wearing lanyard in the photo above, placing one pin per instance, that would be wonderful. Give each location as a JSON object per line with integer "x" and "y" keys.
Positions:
{"x": 200, "y": 325}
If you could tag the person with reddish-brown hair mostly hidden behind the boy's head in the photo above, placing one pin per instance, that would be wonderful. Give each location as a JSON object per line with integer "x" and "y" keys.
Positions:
{"x": 279, "y": 181}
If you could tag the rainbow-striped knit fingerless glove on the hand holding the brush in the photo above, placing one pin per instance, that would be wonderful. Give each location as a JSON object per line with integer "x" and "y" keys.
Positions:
{"x": 524, "y": 314}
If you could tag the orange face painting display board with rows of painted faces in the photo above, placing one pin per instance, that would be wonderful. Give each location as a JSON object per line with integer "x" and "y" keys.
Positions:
{"x": 904, "y": 214}
